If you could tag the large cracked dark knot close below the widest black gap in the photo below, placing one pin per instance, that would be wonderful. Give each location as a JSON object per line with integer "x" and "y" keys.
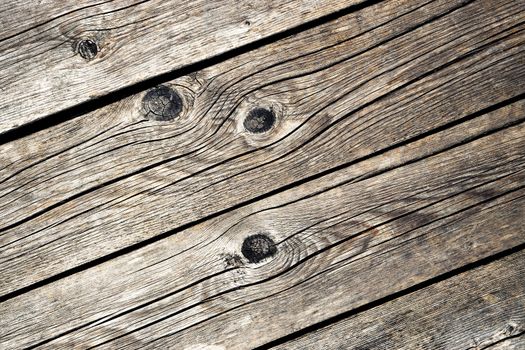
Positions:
{"x": 162, "y": 103}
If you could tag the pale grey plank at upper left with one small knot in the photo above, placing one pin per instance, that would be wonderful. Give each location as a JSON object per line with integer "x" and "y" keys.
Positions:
{"x": 90, "y": 48}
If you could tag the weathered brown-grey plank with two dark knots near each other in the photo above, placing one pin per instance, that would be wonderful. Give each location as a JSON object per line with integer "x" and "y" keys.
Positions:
{"x": 351, "y": 89}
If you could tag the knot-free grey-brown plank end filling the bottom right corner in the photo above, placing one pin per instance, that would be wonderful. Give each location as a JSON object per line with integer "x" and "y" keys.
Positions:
{"x": 479, "y": 309}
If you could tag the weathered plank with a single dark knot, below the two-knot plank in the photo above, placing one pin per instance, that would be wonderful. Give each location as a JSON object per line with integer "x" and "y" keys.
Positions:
{"x": 355, "y": 239}
